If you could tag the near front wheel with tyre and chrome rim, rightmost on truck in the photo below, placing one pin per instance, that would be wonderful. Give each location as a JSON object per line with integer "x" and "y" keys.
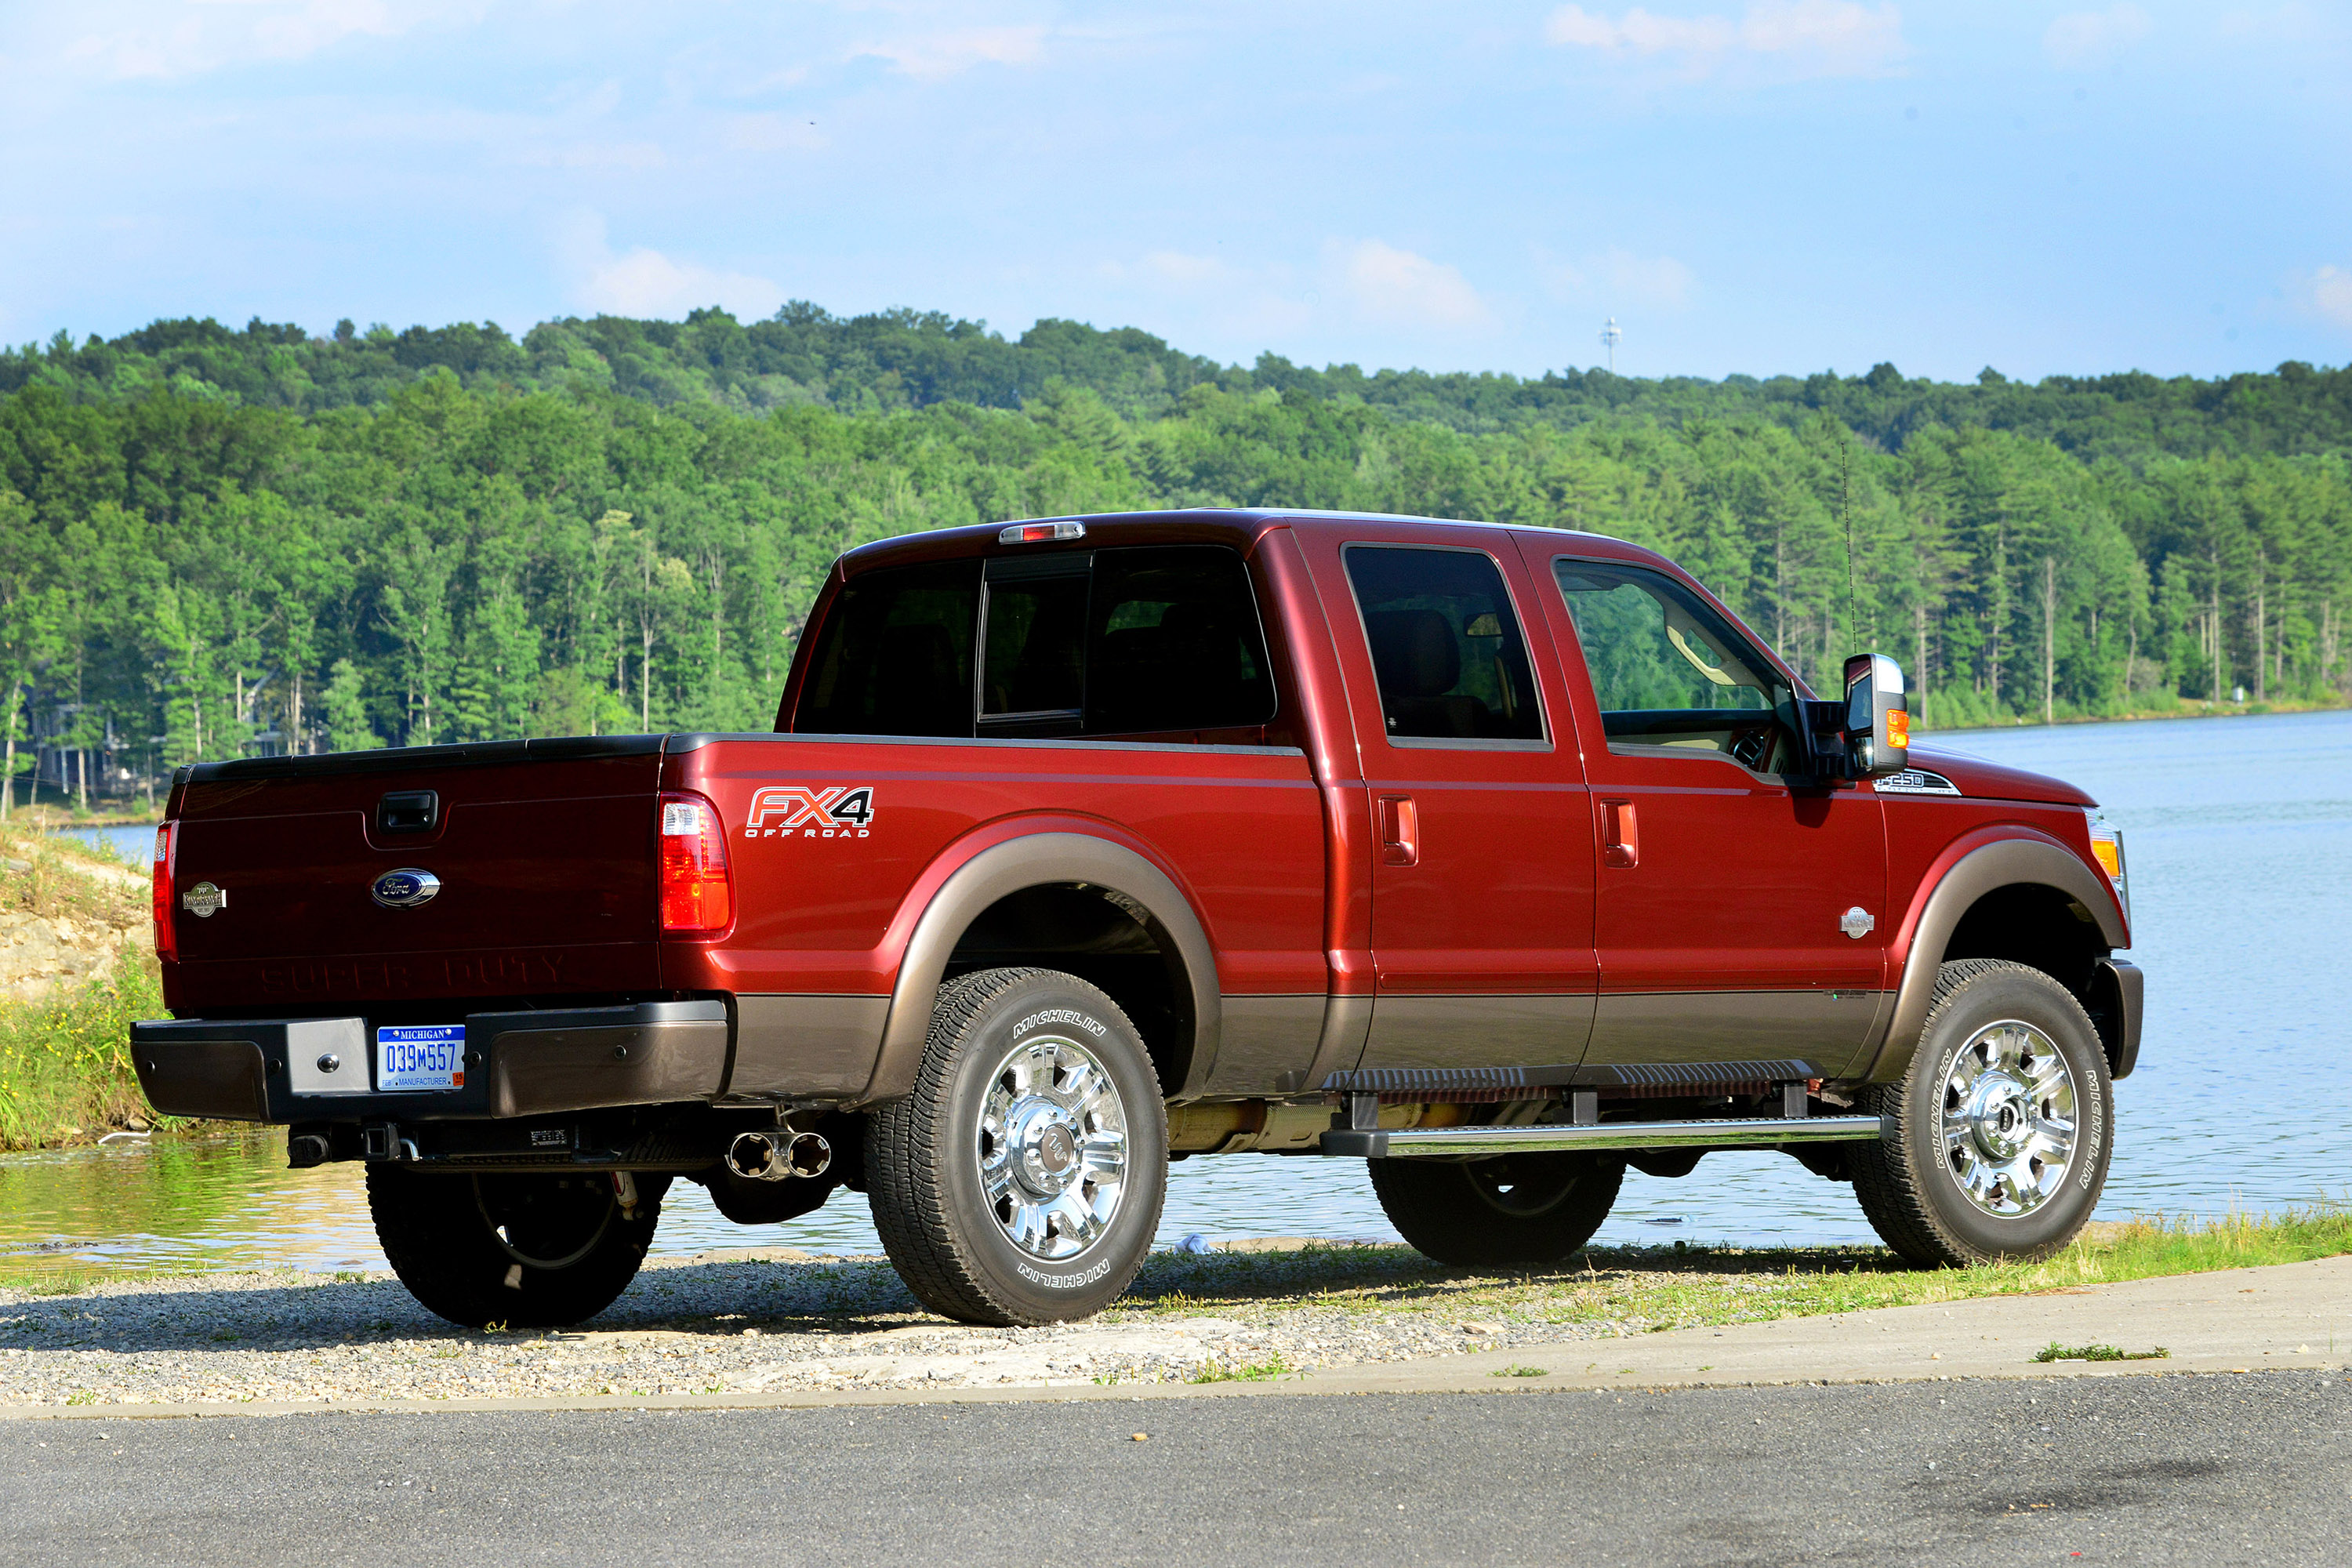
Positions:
{"x": 1998, "y": 1137}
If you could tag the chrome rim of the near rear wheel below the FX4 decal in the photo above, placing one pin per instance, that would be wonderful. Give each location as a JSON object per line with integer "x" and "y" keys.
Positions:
{"x": 1053, "y": 1146}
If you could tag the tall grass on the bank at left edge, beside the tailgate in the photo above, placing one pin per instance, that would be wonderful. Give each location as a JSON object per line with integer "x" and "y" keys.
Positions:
{"x": 65, "y": 1059}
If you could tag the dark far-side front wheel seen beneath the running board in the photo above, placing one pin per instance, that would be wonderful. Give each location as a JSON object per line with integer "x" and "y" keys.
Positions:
{"x": 1514, "y": 1212}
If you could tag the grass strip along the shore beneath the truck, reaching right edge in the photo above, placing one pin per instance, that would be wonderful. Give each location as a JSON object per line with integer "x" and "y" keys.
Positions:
{"x": 1655, "y": 1289}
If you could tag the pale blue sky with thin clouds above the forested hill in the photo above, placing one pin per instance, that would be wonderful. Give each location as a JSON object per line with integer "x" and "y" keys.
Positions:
{"x": 1746, "y": 187}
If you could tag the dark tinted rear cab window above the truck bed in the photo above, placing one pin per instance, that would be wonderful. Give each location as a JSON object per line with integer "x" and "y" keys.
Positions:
{"x": 1118, "y": 643}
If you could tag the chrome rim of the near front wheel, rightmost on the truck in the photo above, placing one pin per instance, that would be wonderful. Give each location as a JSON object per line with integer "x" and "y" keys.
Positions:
{"x": 2010, "y": 1120}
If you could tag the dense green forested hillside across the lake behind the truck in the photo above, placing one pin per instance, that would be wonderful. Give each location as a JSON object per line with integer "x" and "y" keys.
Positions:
{"x": 225, "y": 542}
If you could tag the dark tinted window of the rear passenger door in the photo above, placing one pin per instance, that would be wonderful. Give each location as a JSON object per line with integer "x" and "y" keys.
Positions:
{"x": 1445, "y": 645}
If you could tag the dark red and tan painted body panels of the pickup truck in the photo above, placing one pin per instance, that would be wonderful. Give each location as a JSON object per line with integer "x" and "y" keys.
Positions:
{"x": 1506, "y": 942}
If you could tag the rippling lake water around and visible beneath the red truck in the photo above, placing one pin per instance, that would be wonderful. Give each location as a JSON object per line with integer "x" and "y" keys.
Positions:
{"x": 2240, "y": 838}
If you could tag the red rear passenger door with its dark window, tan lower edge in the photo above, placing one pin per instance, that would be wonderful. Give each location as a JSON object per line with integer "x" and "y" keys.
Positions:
{"x": 1483, "y": 880}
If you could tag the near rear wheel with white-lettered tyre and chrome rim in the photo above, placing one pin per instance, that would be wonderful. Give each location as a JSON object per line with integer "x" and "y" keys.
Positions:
{"x": 1022, "y": 1181}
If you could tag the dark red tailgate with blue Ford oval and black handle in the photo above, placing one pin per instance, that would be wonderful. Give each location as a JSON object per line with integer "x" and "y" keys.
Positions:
{"x": 544, "y": 855}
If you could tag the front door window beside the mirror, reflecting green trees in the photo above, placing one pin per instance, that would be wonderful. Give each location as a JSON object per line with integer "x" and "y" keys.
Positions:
{"x": 1669, "y": 671}
